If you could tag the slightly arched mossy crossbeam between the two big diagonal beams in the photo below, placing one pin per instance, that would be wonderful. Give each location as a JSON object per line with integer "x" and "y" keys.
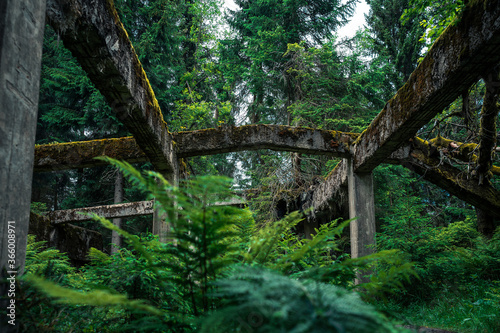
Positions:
{"x": 252, "y": 137}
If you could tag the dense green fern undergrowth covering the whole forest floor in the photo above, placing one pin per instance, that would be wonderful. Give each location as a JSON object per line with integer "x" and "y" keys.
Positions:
{"x": 221, "y": 272}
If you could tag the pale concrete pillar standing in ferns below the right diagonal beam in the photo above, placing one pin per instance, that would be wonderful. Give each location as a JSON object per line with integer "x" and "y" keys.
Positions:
{"x": 361, "y": 207}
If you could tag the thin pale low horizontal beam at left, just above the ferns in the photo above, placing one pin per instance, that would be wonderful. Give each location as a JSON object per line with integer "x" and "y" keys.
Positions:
{"x": 108, "y": 211}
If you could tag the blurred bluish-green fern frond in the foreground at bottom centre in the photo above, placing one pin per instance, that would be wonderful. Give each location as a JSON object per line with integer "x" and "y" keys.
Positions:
{"x": 259, "y": 300}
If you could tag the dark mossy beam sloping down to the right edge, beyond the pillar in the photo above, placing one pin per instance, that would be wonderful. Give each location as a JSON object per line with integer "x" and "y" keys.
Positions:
{"x": 451, "y": 179}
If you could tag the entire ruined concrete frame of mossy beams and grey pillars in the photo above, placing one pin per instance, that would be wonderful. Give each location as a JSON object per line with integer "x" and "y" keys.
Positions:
{"x": 92, "y": 30}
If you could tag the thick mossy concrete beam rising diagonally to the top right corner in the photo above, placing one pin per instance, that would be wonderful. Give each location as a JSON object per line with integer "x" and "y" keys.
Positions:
{"x": 464, "y": 51}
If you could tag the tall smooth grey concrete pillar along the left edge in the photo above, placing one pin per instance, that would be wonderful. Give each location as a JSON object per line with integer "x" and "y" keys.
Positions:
{"x": 22, "y": 24}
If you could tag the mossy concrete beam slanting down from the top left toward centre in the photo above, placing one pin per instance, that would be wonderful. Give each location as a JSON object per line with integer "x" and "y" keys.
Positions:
{"x": 92, "y": 31}
